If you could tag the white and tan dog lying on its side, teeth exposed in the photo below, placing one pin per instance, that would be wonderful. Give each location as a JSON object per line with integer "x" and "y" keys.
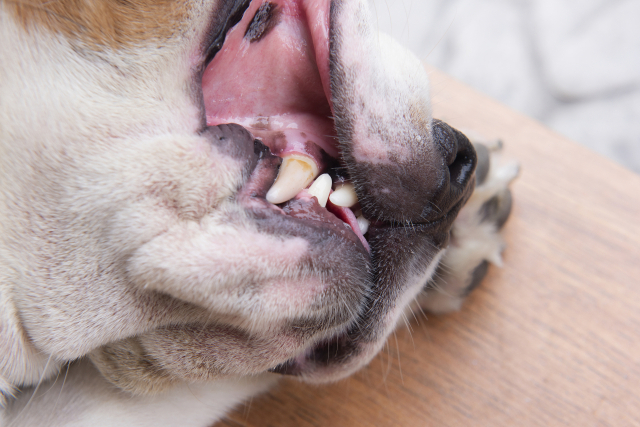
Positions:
{"x": 198, "y": 197}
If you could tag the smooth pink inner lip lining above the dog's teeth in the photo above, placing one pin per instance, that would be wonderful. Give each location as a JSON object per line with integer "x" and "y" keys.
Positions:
{"x": 272, "y": 86}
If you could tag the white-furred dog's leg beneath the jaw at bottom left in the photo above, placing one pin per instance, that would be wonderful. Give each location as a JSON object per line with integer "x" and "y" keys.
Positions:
{"x": 95, "y": 402}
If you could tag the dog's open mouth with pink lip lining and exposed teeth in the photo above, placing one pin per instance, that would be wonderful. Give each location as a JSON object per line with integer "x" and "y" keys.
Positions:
{"x": 271, "y": 76}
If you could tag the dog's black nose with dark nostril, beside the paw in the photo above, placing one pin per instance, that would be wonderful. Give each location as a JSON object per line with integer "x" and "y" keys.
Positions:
{"x": 458, "y": 165}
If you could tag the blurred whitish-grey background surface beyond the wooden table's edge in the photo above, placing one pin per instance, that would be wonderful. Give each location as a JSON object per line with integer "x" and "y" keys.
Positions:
{"x": 572, "y": 64}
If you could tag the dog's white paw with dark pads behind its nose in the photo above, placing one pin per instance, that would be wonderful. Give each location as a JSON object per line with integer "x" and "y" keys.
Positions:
{"x": 475, "y": 235}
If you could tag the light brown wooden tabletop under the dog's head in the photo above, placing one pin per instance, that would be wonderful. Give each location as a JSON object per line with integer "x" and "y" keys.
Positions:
{"x": 550, "y": 339}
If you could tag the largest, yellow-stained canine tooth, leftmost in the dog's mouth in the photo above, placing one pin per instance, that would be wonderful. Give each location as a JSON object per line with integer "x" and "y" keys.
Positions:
{"x": 296, "y": 172}
